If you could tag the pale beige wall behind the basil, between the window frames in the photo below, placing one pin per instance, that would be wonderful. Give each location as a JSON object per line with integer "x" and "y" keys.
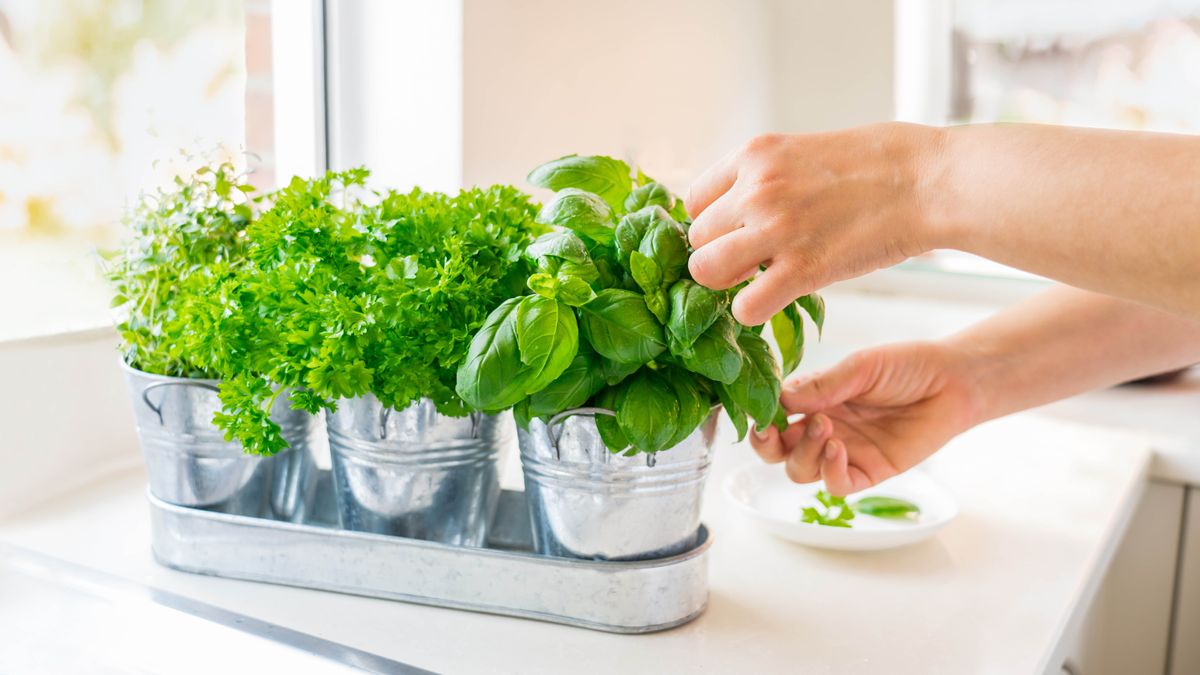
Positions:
{"x": 670, "y": 85}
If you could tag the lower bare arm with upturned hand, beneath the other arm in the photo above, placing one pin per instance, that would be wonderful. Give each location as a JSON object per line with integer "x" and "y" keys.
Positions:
{"x": 885, "y": 410}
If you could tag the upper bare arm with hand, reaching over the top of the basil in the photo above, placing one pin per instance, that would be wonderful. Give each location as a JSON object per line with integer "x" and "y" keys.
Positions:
{"x": 1113, "y": 212}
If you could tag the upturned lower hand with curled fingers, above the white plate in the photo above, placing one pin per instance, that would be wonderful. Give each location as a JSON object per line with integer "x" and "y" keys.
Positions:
{"x": 875, "y": 415}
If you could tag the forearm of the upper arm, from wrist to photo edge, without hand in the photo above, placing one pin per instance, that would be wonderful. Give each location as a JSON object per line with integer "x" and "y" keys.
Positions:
{"x": 1118, "y": 213}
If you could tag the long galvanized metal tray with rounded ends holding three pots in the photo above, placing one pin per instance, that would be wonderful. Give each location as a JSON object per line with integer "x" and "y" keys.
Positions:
{"x": 505, "y": 578}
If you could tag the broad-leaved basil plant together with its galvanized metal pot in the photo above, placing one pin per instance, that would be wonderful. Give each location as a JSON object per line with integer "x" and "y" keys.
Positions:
{"x": 614, "y": 362}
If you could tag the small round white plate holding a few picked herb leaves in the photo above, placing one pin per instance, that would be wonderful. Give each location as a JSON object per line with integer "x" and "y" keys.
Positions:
{"x": 765, "y": 494}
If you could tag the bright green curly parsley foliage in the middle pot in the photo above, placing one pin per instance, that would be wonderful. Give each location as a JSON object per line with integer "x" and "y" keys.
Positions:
{"x": 337, "y": 291}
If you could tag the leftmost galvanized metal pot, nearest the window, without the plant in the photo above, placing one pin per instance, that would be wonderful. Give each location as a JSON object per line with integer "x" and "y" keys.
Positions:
{"x": 189, "y": 462}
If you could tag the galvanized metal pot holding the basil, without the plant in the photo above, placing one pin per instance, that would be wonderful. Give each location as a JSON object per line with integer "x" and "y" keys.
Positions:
{"x": 591, "y": 504}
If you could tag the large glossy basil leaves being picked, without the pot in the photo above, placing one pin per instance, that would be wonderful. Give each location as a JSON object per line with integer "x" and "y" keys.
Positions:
{"x": 610, "y": 318}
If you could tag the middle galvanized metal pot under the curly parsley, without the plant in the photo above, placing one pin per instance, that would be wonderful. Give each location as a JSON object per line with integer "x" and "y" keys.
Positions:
{"x": 416, "y": 473}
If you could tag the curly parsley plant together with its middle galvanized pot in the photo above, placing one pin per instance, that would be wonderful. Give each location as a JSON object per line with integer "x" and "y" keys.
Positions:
{"x": 363, "y": 306}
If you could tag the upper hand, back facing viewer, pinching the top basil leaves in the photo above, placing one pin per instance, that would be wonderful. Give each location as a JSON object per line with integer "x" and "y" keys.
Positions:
{"x": 813, "y": 210}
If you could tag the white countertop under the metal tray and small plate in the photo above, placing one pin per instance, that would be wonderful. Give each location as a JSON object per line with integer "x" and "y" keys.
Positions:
{"x": 1043, "y": 505}
